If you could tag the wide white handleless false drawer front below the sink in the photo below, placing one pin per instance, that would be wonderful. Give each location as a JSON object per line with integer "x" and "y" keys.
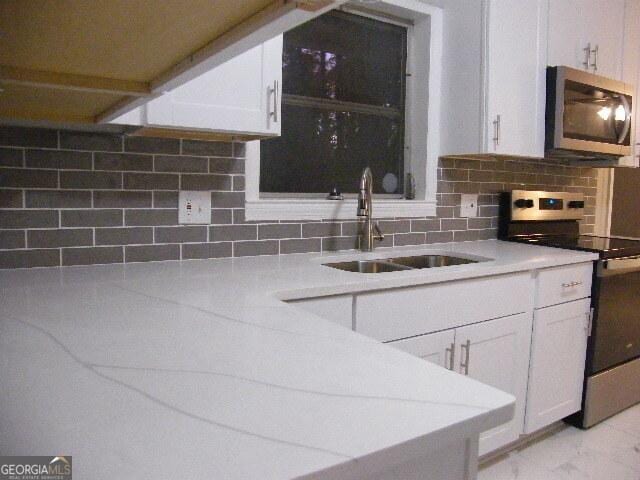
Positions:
{"x": 408, "y": 312}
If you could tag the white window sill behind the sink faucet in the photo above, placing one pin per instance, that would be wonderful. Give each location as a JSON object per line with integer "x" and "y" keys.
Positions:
{"x": 319, "y": 209}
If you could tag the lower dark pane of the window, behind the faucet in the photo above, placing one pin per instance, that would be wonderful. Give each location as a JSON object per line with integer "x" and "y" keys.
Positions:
{"x": 320, "y": 149}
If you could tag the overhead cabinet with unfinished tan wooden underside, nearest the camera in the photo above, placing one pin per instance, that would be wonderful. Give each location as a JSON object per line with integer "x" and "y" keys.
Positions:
{"x": 73, "y": 61}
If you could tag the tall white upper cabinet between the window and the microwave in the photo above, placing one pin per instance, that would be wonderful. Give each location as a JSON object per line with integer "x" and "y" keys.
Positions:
{"x": 494, "y": 77}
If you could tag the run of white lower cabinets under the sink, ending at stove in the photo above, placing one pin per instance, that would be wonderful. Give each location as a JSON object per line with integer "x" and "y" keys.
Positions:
{"x": 523, "y": 334}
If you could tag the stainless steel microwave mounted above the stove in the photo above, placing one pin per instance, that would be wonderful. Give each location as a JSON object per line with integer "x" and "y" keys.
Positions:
{"x": 587, "y": 116}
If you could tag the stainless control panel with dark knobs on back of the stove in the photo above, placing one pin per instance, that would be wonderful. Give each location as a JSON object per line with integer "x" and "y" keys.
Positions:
{"x": 536, "y": 205}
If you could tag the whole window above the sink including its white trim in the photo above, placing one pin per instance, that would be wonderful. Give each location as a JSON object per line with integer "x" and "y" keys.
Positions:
{"x": 397, "y": 107}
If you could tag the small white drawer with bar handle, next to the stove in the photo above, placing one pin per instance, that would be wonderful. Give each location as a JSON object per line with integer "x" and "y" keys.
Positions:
{"x": 563, "y": 284}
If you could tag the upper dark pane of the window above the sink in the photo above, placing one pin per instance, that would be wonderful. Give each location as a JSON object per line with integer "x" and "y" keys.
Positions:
{"x": 346, "y": 57}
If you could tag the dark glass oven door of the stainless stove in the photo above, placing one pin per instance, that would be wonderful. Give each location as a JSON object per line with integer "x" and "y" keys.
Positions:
{"x": 616, "y": 329}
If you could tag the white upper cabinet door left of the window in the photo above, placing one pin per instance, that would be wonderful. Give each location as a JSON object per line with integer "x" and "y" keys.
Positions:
{"x": 237, "y": 96}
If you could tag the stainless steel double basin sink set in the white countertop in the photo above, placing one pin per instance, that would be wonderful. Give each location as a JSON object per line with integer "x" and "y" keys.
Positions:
{"x": 396, "y": 264}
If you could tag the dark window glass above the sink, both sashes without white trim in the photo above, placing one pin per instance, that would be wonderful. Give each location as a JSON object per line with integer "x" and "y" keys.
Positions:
{"x": 343, "y": 108}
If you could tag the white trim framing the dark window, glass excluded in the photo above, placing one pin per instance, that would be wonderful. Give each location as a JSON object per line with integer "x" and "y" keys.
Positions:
{"x": 422, "y": 149}
